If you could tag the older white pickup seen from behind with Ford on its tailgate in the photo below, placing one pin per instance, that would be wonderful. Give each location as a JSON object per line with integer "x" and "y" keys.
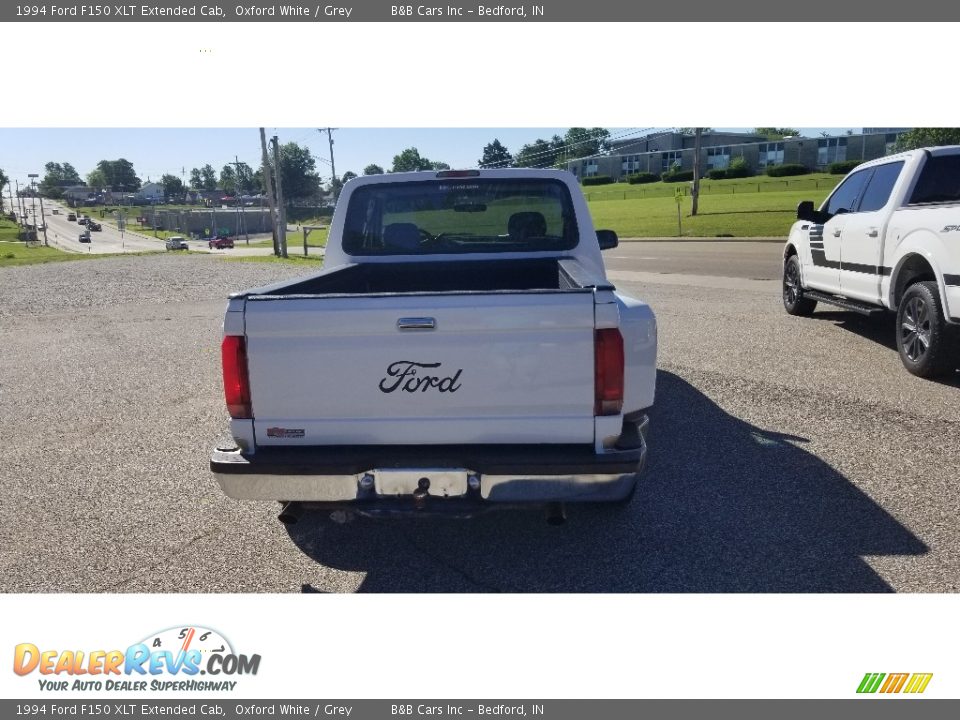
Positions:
{"x": 462, "y": 351}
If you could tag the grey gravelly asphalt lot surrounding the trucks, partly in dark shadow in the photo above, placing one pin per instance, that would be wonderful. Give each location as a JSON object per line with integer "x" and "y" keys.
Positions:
{"x": 786, "y": 454}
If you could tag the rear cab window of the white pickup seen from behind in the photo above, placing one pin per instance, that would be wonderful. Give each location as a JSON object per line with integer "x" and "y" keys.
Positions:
{"x": 460, "y": 215}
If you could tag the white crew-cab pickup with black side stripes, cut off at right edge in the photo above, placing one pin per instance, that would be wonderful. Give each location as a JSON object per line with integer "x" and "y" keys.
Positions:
{"x": 887, "y": 238}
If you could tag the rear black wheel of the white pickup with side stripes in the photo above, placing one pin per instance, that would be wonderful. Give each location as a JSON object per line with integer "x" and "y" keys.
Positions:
{"x": 922, "y": 332}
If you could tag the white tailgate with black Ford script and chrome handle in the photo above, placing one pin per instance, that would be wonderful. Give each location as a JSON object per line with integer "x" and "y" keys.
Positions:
{"x": 447, "y": 368}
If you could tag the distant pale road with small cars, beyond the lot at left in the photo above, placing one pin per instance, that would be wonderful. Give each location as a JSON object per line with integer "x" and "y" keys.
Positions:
{"x": 64, "y": 234}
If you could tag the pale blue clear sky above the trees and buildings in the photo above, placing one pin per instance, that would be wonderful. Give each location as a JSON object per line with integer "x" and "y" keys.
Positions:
{"x": 155, "y": 152}
